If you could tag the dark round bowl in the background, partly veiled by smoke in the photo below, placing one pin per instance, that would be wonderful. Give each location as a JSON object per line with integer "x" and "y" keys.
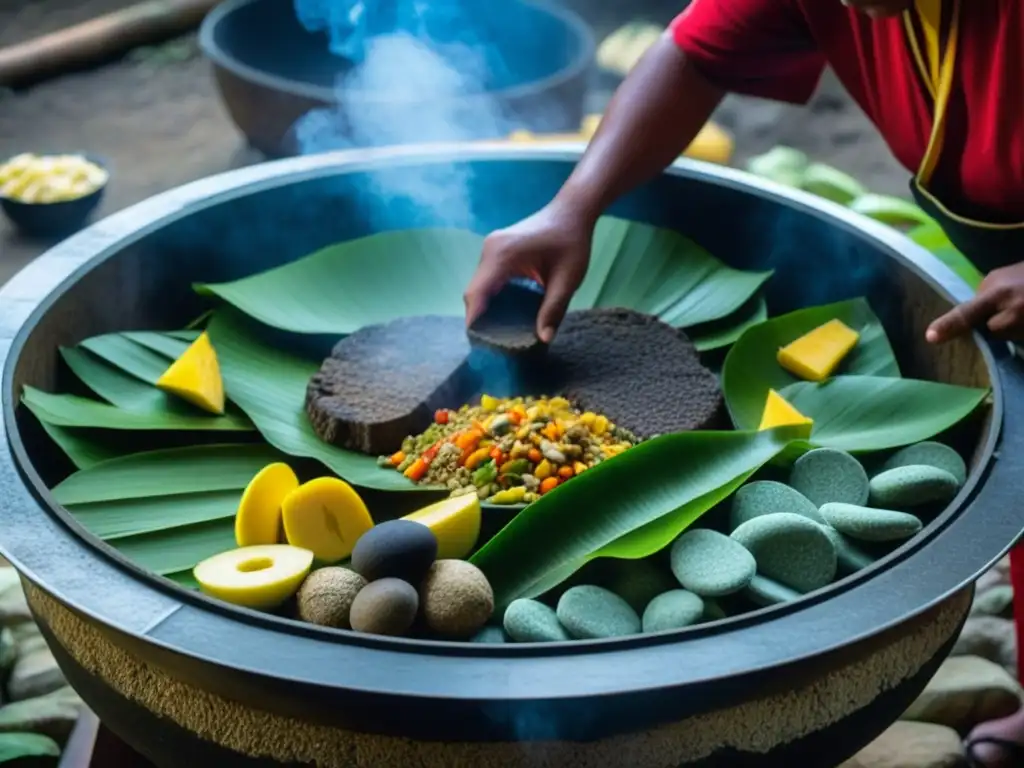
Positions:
{"x": 272, "y": 72}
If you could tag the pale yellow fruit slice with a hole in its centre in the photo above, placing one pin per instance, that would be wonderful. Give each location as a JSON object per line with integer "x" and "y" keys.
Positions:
{"x": 255, "y": 577}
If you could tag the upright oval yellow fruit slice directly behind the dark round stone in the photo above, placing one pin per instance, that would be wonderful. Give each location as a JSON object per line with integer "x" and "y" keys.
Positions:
{"x": 326, "y": 517}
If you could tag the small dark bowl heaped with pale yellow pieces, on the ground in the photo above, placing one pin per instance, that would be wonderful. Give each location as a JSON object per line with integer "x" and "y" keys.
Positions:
{"x": 52, "y": 195}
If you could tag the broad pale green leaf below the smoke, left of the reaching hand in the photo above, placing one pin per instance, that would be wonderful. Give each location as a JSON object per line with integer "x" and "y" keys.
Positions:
{"x": 363, "y": 282}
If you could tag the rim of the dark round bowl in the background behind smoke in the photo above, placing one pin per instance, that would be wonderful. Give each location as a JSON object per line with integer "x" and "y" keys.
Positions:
{"x": 328, "y": 96}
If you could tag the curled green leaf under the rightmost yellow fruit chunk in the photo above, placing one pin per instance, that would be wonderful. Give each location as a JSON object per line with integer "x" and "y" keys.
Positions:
{"x": 751, "y": 368}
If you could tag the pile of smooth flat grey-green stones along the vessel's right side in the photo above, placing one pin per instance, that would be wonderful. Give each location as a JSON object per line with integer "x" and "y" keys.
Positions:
{"x": 774, "y": 542}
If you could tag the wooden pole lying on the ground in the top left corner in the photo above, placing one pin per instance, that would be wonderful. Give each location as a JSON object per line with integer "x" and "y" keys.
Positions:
{"x": 100, "y": 39}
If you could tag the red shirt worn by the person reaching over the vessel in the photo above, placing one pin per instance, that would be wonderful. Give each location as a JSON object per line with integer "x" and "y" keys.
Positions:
{"x": 779, "y": 50}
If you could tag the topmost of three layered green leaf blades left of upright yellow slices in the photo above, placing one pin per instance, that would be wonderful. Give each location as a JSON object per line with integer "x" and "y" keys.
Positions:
{"x": 167, "y": 473}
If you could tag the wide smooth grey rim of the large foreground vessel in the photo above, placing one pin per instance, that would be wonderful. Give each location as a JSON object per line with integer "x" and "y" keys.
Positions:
{"x": 52, "y": 549}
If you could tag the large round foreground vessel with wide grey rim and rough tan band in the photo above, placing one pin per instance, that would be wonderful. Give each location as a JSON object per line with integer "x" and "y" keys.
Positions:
{"x": 184, "y": 678}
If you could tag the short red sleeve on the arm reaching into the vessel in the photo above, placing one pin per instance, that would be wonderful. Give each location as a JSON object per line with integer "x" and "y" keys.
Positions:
{"x": 756, "y": 48}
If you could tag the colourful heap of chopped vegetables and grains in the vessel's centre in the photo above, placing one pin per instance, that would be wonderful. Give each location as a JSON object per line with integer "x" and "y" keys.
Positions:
{"x": 509, "y": 451}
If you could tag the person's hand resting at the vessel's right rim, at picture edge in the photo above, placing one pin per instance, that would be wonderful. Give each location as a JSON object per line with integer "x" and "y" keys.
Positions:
{"x": 998, "y": 305}
